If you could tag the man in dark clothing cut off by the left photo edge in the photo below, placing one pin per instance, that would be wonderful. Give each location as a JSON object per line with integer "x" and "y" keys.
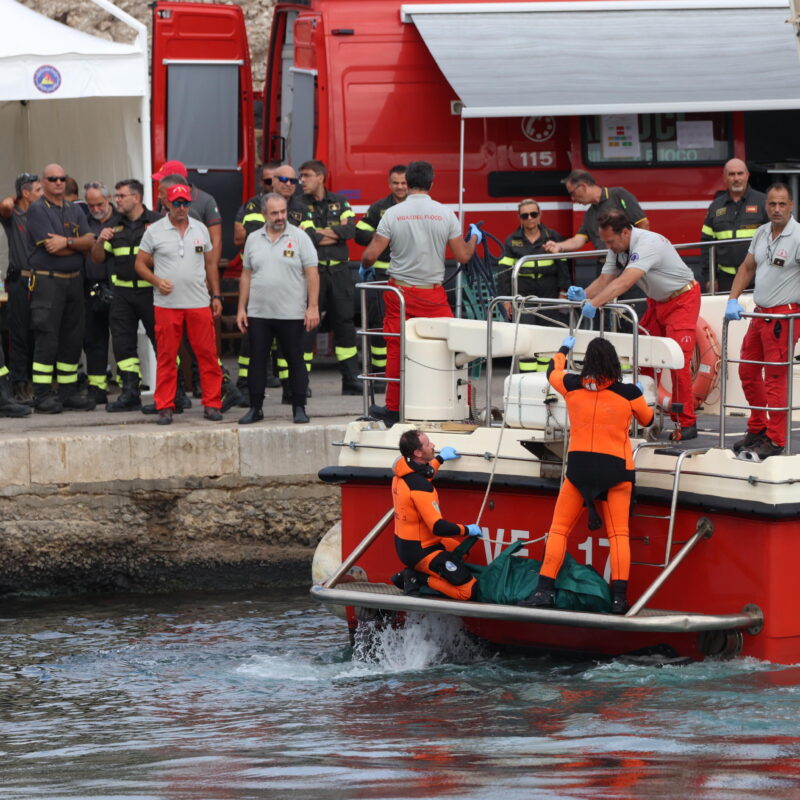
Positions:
{"x": 14, "y": 218}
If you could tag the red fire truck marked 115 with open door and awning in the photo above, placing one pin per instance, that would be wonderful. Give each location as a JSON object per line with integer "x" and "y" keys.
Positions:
{"x": 503, "y": 98}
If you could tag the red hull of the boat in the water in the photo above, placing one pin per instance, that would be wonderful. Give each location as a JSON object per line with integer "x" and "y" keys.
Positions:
{"x": 748, "y": 561}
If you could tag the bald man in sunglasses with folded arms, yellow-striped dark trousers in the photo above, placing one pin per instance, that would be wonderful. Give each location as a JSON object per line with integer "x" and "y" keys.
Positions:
{"x": 60, "y": 235}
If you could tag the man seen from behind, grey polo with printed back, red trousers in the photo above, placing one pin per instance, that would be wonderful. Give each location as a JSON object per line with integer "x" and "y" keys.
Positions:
{"x": 418, "y": 232}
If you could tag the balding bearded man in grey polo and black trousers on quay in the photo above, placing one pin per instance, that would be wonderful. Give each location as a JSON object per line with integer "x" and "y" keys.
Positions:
{"x": 278, "y": 298}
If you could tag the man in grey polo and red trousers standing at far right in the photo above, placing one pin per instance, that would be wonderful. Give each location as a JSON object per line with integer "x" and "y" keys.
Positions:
{"x": 774, "y": 260}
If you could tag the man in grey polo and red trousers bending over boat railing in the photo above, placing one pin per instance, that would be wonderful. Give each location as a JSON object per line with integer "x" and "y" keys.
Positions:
{"x": 673, "y": 298}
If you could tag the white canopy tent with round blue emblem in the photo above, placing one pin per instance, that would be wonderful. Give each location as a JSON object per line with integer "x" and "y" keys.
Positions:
{"x": 72, "y": 98}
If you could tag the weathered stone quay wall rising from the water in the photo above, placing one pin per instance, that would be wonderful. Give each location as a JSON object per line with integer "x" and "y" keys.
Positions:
{"x": 91, "y": 501}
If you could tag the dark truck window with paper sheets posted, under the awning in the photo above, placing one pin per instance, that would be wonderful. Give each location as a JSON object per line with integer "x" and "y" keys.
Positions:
{"x": 664, "y": 140}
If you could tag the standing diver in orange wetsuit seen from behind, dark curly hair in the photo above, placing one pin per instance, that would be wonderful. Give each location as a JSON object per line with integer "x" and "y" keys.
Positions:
{"x": 599, "y": 463}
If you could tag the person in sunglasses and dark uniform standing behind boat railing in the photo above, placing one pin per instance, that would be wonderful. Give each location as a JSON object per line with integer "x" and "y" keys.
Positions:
{"x": 544, "y": 278}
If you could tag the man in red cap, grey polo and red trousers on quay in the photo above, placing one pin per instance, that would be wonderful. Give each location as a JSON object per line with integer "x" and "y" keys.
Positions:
{"x": 179, "y": 249}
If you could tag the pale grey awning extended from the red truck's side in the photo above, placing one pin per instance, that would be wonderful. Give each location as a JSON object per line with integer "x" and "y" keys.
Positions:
{"x": 627, "y": 56}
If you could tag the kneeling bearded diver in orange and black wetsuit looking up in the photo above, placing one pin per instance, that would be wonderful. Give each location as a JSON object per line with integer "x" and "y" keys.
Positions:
{"x": 423, "y": 539}
